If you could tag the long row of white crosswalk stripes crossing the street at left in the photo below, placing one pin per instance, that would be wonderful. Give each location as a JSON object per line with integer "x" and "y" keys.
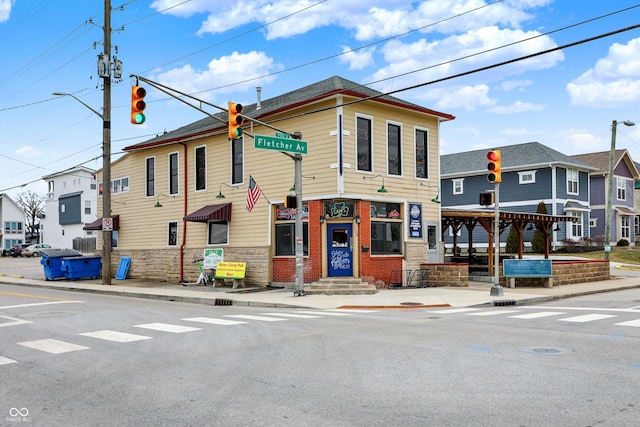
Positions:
{"x": 56, "y": 346}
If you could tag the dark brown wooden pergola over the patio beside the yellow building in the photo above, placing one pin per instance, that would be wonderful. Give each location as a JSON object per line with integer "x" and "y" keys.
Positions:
{"x": 456, "y": 219}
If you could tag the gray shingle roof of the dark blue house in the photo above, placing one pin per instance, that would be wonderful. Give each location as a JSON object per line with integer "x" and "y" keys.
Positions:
{"x": 524, "y": 156}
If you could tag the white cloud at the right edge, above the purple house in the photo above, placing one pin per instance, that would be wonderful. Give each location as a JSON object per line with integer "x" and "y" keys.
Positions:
{"x": 613, "y": 81}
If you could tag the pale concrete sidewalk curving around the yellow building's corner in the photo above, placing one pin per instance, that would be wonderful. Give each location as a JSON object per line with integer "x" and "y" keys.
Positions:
{"x": 404, "y": 298}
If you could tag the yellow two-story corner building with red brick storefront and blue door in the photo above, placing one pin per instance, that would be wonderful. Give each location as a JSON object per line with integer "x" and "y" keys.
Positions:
{"x": 369, "y": 177}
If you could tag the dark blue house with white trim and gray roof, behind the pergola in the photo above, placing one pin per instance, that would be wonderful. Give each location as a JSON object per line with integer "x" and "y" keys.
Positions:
{"x": 531, "y": 173}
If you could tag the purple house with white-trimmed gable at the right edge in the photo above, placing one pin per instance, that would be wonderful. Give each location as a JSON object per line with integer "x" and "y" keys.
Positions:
{"x": 623, "y": 213}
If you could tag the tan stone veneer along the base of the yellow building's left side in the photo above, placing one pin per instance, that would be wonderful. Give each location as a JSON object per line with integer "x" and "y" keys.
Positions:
{"x": 163, "y": 265}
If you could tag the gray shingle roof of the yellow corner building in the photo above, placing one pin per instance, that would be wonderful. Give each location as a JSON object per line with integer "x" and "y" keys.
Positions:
{"x": 325, "y": 88}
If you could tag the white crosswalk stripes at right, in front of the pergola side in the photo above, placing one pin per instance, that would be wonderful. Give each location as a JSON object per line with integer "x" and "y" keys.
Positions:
{"x": 561, "y": 315}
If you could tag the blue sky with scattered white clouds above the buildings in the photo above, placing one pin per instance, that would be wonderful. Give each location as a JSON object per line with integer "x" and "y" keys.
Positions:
{"x": 221, "y": 51}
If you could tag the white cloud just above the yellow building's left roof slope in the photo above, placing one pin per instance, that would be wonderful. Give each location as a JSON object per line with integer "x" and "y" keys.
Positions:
{"x": 226, "y": 70}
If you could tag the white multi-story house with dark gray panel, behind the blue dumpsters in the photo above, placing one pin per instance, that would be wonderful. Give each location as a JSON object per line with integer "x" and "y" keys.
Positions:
{"x": 71, "y": 202}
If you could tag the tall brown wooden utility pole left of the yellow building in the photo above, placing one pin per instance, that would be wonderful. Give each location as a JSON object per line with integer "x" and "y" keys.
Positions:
{"x": 106, "y": 149}
